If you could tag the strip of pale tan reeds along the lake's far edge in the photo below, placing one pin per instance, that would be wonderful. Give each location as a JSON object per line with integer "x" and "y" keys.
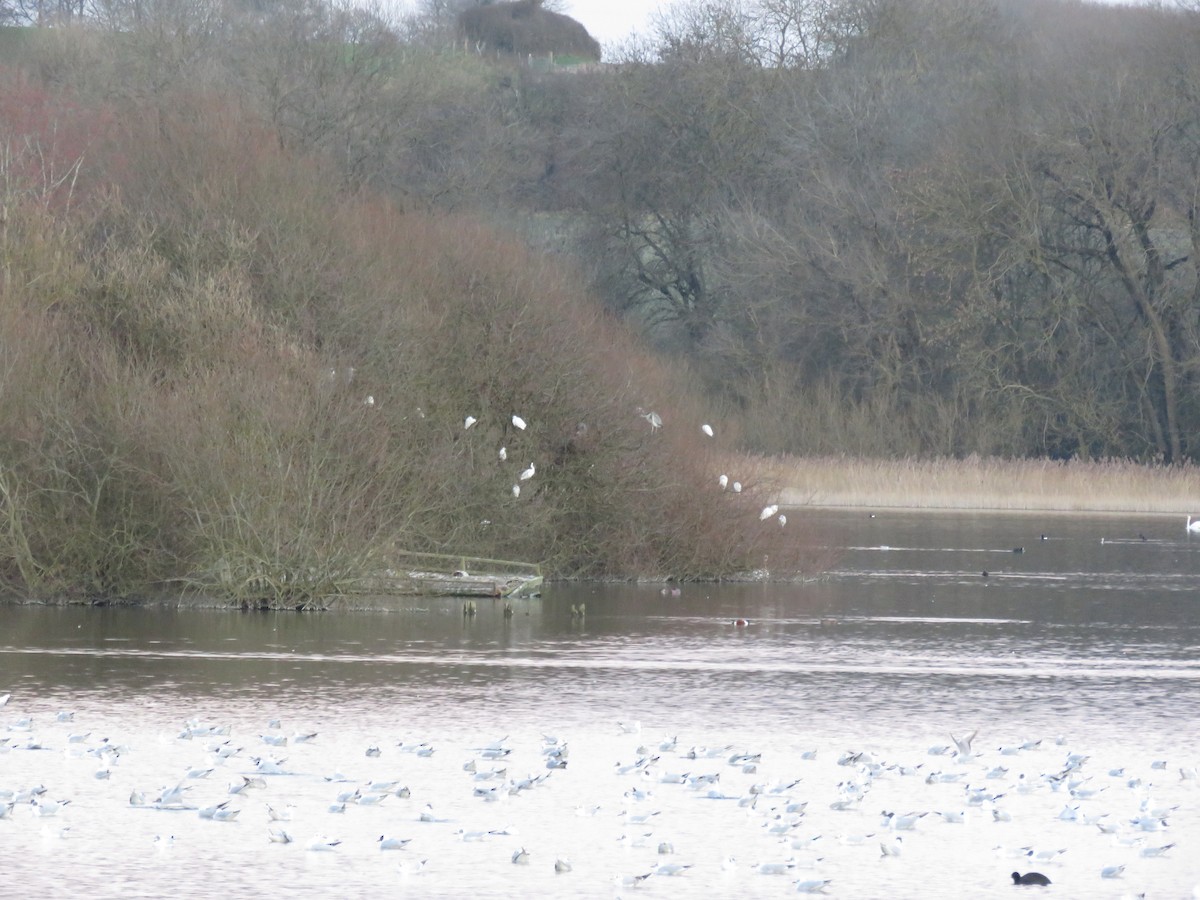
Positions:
{"x": 1034, "y": 485}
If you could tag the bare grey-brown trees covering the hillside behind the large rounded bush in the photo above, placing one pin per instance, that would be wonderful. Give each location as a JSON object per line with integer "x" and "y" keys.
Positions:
{"x": 874, "y": 227}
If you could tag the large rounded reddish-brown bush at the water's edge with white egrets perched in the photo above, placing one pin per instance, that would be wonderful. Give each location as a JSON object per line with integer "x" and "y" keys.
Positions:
{"x": 220, "y": 374}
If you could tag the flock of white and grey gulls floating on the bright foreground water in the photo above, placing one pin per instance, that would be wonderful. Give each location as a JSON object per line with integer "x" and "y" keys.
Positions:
{"x": 653, "y": 814}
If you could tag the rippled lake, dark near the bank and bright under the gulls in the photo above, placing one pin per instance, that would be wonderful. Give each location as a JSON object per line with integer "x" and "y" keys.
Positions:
{"x": 652, "y": 736}
